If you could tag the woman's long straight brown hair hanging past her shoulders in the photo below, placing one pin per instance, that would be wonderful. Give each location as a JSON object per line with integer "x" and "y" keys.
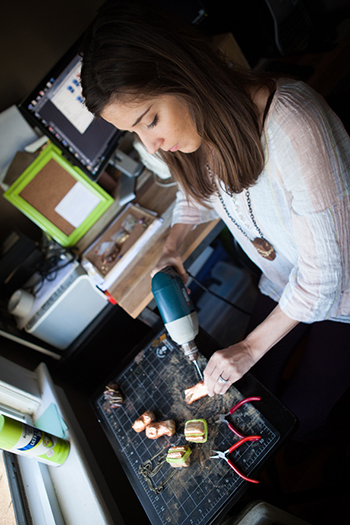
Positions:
{"x": 134, "y": 48}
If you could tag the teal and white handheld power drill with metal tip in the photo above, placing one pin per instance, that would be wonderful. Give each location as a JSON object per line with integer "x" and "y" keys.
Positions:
{"x": 177, "y": 311}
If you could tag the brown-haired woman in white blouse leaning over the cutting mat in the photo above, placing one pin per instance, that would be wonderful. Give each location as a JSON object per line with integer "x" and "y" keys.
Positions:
{"x": 267, "y": 156}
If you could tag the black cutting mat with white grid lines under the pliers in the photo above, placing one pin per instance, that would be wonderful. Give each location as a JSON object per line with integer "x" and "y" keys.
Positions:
{"x": 155, "y": 380}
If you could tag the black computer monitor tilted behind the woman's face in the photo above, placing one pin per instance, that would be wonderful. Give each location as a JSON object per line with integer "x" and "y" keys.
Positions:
{"x": 57, "y": 108}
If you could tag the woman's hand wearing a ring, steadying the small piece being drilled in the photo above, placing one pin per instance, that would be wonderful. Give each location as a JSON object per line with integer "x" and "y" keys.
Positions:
{"x": 230, "y": 364}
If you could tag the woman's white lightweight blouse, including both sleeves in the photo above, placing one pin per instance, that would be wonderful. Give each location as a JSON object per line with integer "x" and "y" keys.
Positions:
{"x": 301, "y": 203}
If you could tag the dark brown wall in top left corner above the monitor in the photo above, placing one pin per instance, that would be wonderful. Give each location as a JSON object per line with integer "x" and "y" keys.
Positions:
{"x": 33, "y": 37}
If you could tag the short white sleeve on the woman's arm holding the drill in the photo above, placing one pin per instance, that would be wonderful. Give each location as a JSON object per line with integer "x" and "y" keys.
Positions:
{"x": 187, "y": 211}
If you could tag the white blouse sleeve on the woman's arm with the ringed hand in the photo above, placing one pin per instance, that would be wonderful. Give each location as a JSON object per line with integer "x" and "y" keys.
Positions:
{"x": 316, "y": 173}
